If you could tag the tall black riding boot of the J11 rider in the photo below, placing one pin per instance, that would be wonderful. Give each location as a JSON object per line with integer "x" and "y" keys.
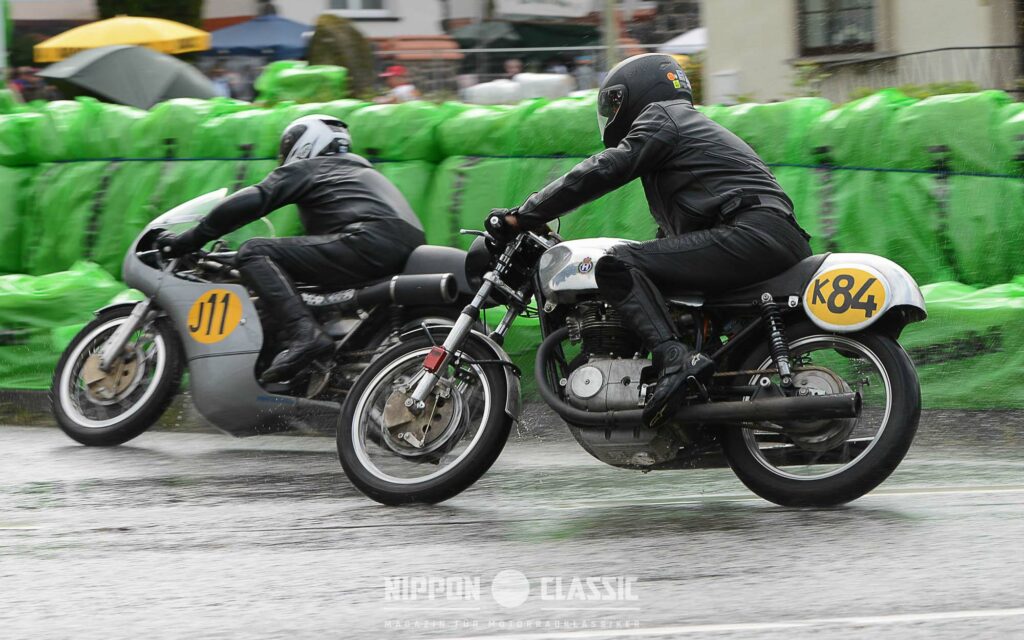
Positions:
{"x": 307, "y": 340}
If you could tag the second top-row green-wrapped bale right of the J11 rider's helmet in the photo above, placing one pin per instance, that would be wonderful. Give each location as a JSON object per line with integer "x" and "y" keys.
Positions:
{"x": 482, "y": 131}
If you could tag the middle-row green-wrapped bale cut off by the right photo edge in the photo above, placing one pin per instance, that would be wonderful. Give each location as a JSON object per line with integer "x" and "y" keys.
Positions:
{"x": 987, "y": 219}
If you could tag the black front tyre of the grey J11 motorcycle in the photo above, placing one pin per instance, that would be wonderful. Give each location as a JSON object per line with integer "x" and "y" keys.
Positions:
{"x": 150, "y": 410}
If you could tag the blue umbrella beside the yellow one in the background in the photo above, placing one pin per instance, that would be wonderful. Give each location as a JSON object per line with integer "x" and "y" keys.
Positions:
{"x": 276, "y": 37}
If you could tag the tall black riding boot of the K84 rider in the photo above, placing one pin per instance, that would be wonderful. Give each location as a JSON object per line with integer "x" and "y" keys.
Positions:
{"x": 645, "y": 311}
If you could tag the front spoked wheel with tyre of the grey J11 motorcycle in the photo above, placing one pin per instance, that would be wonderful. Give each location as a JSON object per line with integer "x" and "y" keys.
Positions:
{"x": 105, "y": 409}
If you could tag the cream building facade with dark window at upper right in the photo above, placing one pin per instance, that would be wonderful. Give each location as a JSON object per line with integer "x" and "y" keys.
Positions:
{"x": 775, "y": 50}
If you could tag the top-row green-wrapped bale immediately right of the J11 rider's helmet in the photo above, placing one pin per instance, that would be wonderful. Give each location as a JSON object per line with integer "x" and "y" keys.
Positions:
{"x": 404, "y": 132}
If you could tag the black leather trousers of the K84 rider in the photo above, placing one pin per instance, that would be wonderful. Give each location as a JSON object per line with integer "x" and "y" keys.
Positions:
{"x": 756, "y": 245}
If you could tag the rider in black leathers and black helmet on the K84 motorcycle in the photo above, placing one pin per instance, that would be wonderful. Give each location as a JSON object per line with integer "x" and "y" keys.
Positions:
{"x": 724, "y": 221}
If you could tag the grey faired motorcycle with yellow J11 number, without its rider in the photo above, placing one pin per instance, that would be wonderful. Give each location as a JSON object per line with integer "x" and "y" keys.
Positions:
{"x": 121, "y": 372}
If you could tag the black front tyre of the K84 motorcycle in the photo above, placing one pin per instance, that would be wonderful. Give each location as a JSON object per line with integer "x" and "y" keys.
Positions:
{"x": 466, "y": 473}
